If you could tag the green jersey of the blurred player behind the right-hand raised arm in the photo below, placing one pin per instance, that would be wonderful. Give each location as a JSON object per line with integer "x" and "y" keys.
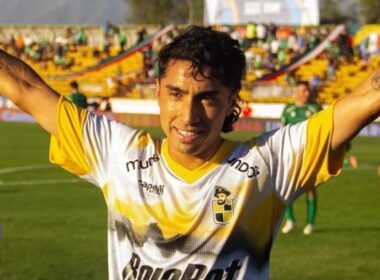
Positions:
{"x": 293, "y": 114}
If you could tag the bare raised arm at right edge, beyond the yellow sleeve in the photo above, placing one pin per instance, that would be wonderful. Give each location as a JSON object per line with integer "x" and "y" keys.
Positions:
{"x": 355, "y": 111}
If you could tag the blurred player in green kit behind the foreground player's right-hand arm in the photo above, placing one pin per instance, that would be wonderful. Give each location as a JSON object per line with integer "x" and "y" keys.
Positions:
{"x": 300, "y": 110}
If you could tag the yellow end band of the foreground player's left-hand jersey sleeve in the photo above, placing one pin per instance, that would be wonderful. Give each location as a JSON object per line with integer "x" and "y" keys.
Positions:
{"x": 67, "y": 149}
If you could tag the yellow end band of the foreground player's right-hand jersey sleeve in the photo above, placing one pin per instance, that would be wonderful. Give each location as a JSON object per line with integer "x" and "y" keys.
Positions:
{"x": 318, "y": 165}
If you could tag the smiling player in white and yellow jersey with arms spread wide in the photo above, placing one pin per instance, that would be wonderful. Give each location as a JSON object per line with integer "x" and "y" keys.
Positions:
{"x": 165, "y": 221}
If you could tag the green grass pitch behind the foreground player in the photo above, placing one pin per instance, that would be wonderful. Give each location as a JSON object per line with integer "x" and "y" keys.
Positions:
{"x": 54, "y": 225}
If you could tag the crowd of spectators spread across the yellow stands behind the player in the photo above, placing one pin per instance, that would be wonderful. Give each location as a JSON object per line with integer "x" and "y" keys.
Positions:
{"x": 267, "y": 47}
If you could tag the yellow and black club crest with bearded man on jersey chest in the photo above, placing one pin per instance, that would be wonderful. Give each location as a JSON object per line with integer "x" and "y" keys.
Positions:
{"x": 222, "y": 206}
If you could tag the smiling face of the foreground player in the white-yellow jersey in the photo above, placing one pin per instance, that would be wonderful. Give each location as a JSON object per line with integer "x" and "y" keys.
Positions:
{"x": 192, "y": 111}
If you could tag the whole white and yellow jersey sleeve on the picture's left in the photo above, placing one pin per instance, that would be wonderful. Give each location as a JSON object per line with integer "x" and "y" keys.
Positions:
{"x": 84, "y": 142}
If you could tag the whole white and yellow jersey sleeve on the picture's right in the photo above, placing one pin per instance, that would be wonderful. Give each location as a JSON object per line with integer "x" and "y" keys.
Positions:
{"x": 298, "y": 156}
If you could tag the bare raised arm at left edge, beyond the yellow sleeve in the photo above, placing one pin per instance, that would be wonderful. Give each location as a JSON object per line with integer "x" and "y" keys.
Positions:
{"x": 21, "y": 84}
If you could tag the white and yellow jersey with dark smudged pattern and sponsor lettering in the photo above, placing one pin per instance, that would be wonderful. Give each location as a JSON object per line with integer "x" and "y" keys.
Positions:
{"x": 215, "y": 222}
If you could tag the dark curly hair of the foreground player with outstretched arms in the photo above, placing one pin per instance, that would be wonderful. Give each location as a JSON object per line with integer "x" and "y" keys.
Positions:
{"x": 207, "y": 48}
